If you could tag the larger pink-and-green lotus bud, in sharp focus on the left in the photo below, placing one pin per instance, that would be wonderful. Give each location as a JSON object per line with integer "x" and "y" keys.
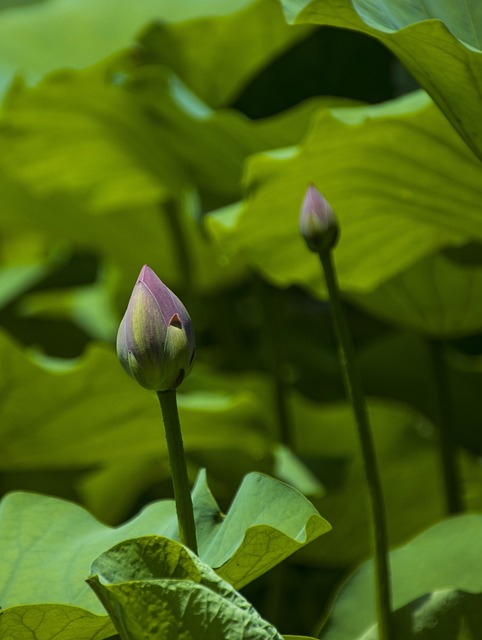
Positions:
{"x": 155, "y": 341}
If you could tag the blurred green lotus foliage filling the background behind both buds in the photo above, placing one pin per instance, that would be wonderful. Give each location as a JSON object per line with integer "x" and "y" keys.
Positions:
{"x": 183, "y": 135}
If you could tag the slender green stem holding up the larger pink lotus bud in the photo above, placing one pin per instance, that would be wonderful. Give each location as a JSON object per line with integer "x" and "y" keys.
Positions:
{"x": 177, "y": 460}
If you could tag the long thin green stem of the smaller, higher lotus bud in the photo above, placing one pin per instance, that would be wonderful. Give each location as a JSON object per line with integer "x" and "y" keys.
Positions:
{"x": 354, "y": 390}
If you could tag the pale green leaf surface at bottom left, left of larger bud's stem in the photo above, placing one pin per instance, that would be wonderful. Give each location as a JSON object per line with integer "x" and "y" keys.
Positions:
{"x": 47, "y": 546}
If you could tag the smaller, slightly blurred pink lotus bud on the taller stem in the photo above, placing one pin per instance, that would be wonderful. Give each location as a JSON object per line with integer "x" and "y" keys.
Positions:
{"x": 318, "y": 224}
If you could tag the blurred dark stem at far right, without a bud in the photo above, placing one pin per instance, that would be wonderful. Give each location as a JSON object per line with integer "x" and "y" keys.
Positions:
{"x": 448, "y": 449}
